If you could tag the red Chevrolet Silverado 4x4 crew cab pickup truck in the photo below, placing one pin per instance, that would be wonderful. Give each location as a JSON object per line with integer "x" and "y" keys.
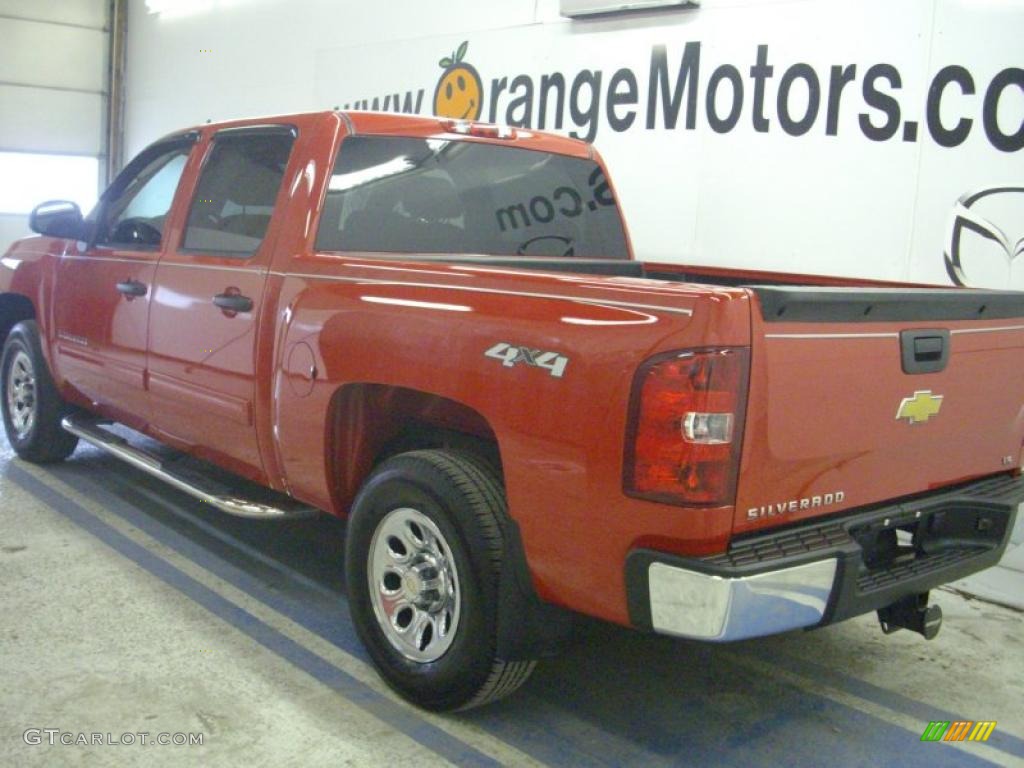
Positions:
{"x": 437, "y": 329}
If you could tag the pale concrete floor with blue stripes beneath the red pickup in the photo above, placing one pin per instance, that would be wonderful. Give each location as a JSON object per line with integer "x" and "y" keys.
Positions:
{"x": 130, "y": 609}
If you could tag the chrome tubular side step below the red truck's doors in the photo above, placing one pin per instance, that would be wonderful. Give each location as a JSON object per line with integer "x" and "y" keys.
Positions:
{"x": 91, "y": 432}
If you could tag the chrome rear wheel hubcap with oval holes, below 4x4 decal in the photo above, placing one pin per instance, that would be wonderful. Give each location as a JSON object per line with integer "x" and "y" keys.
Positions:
{"x": 414, "y": 585}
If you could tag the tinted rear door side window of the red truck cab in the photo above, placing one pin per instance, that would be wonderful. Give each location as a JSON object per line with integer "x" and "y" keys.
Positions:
{"x": 237, "y": 191}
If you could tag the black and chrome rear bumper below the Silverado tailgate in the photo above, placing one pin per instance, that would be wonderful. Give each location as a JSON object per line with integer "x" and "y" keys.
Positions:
{"x": 824, "y": 572}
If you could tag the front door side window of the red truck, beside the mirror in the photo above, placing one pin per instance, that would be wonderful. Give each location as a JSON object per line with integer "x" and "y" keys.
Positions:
{"x": 137, "y": 206}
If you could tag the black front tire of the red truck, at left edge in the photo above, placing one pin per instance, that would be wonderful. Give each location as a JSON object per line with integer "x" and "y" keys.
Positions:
{"x": 42, "y": 441}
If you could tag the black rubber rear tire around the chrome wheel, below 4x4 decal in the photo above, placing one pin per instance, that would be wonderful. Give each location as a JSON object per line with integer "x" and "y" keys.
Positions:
{"x": 463, "y": 498}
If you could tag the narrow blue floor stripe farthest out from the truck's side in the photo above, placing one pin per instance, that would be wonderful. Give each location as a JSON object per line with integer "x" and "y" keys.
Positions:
{"x": 359, "y": 694}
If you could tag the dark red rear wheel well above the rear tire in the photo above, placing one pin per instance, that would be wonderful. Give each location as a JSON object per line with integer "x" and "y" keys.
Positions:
{"x": 371, "y": 422}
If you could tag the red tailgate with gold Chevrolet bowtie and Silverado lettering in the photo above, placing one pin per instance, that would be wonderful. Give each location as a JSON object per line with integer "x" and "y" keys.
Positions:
{"x": 860, "y": 398}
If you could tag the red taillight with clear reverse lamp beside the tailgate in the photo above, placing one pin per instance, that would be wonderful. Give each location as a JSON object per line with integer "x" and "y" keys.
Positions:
{"x": 686, "y": 428}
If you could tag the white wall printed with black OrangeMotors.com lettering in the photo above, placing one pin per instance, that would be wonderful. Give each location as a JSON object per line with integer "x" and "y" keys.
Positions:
{"x": 845, "y": 204}
